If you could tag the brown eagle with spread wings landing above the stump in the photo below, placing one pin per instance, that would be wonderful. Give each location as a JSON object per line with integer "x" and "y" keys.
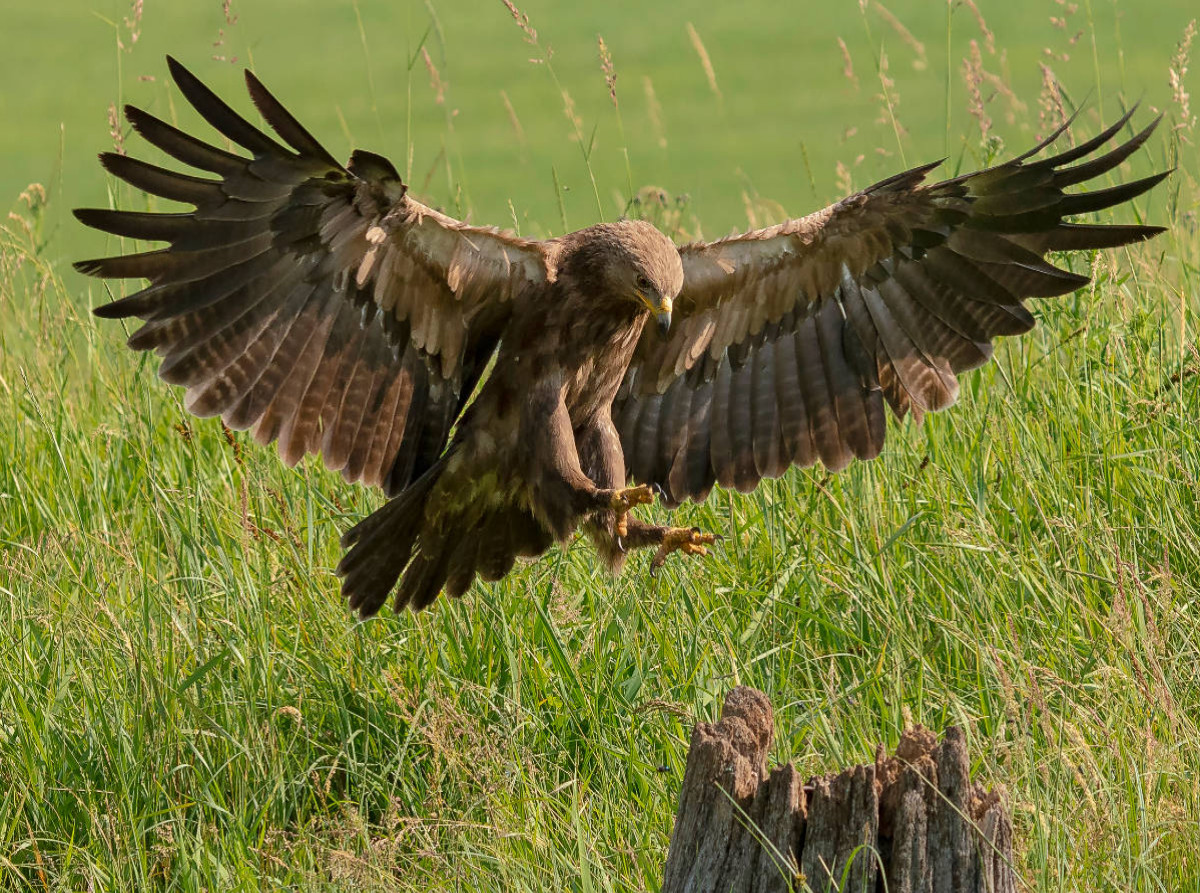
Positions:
{"x": 506, "y": 392}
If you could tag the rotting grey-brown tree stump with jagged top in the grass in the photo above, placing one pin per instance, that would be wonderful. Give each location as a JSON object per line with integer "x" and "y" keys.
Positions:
{"x": 913, "y": 820}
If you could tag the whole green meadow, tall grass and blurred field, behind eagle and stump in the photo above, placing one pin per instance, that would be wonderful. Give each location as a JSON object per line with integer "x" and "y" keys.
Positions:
{"x": 187, "y": 705}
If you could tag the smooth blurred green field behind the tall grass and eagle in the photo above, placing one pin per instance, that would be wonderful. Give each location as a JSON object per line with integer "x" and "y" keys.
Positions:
{"x": 777, "y": 65}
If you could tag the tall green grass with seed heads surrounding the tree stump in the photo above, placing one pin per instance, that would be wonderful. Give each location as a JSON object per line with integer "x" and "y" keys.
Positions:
{"x": 185, "y": 704}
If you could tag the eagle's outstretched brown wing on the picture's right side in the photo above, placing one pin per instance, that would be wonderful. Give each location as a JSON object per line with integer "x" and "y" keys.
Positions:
{"x": 788, "y": 340}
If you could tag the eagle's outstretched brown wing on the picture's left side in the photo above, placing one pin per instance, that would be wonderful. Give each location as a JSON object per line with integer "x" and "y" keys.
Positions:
{"x": 317, "y": 303}
